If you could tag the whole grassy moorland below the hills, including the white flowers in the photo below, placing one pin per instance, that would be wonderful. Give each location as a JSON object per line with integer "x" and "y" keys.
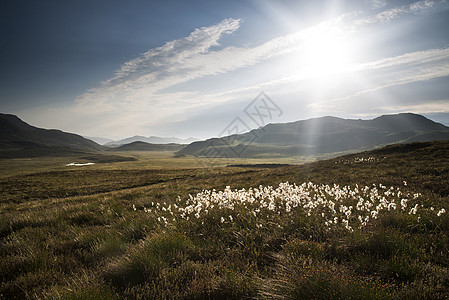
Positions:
{"x": 129, "y": 229}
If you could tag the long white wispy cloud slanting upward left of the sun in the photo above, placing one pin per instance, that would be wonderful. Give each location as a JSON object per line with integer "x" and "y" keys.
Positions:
{"x": 157, "y": 68}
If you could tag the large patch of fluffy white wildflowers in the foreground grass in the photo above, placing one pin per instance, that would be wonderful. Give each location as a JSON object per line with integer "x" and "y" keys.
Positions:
{"x": 332, "y": 206}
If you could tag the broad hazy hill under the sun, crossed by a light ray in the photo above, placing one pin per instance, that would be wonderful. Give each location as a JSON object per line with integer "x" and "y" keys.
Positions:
{"x": 321, "y": 136}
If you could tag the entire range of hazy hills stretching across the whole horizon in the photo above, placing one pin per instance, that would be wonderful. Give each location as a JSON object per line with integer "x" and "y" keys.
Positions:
{"x": 318, "y": 136}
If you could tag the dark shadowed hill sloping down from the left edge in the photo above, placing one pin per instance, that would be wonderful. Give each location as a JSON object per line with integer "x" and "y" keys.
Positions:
{"x": 19, "y": 139}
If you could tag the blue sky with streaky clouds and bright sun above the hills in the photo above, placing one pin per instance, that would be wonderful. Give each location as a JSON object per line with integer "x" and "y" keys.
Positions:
{"x": 114, "y": 69}
